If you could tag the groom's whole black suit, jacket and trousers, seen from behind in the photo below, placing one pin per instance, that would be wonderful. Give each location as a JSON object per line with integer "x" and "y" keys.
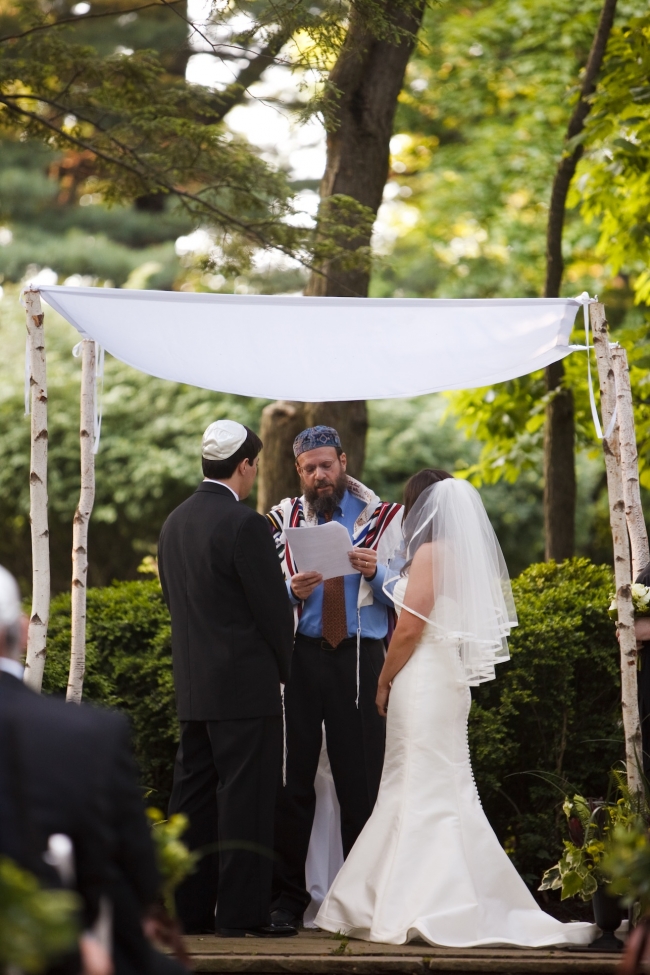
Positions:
{"x": 232, "y": 640}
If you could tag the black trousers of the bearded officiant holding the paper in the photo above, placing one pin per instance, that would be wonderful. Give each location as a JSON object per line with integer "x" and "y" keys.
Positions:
{"x": 323, "y": 687}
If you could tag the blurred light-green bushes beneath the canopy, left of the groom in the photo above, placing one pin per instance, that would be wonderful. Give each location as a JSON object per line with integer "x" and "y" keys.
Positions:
{"x": 148, "y": 462}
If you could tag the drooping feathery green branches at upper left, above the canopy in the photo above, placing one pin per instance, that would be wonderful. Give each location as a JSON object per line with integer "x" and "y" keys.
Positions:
{"x": 142, "y": 130}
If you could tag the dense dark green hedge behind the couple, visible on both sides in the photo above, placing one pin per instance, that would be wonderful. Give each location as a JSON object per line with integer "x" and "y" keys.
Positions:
{"x": 554, "y": 709}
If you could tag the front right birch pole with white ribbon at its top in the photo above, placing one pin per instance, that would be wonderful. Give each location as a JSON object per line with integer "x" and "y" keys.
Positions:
{"x": 622, "y": 563}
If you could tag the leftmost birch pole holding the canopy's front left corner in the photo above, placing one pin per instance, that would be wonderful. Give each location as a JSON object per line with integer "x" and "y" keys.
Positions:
{"x": 40, "y": 614}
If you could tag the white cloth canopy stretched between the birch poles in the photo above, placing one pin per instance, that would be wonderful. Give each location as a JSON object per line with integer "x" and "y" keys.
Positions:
{"x": 319, "y": 349}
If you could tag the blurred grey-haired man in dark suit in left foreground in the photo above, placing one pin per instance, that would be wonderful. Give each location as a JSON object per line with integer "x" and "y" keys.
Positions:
{"x": 49, "y": 784}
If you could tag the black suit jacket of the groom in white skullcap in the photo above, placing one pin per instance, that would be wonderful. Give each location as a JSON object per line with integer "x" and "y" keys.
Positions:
{"x": 232, "y": 622}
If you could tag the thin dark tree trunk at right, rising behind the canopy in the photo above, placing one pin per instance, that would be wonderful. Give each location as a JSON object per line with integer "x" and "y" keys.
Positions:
{"x": 559, "y": 433}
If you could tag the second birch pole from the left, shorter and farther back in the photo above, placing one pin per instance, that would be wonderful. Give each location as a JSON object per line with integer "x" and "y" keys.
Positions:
{"x": 80, "y": 524}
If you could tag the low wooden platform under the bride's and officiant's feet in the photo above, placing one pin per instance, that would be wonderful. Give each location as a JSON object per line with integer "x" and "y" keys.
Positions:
{"x": 315, "y": 953}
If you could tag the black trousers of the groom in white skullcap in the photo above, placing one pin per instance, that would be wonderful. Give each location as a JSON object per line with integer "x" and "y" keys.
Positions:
{"x": 225, "y": 781}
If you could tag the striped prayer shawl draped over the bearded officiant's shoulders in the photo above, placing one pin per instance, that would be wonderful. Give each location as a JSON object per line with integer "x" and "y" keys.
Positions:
{"x": 379, "y": 526}
